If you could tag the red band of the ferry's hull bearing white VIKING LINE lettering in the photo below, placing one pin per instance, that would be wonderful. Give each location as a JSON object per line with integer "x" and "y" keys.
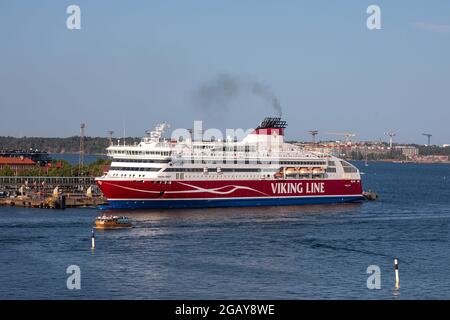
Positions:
{"x": 226, "y": 189}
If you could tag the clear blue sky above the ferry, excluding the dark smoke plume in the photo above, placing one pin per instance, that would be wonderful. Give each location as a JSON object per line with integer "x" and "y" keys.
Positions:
{"x": 141, "y": 62}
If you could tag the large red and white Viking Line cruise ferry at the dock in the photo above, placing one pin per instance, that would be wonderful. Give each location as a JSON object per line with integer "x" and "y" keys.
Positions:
{"x": 259, "y": 170}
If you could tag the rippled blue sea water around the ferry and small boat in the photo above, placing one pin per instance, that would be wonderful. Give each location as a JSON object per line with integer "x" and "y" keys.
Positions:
{"x": 307, "y": 252}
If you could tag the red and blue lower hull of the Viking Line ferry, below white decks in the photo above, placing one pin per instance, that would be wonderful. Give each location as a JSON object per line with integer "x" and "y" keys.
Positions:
{"x": 132, "y": 194}
